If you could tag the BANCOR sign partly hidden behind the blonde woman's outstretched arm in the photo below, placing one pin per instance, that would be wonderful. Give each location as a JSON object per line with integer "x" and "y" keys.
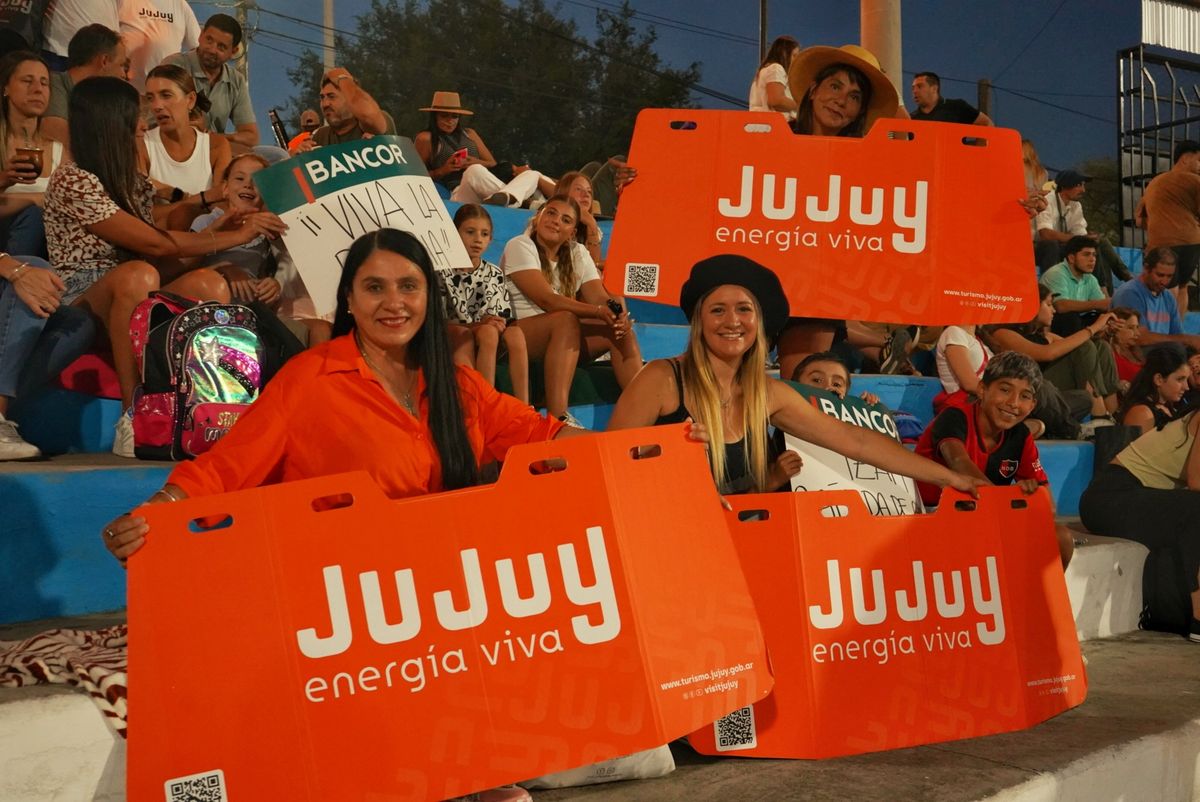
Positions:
{"x": 884, "y": 493}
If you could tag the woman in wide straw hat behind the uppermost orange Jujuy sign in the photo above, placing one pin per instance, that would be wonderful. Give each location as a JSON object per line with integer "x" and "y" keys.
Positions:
{"x": 843, "y": 92}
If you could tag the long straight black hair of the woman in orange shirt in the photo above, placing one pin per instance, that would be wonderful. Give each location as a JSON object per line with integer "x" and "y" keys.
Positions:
{"x": 433, "y": 348}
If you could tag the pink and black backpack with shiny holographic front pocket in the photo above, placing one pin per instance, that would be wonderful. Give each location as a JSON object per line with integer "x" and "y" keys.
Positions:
{"x": 201, "y": 369}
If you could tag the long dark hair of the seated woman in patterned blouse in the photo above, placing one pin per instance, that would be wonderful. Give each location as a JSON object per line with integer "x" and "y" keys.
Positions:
{"x": 104, "y": 123}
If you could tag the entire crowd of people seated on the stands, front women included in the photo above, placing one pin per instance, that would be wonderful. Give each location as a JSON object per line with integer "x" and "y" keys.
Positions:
{"x": 112, "y": 193}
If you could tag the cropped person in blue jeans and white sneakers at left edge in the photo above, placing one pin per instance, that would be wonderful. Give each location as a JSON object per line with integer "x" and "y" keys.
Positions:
{"x": 41, "y": 338}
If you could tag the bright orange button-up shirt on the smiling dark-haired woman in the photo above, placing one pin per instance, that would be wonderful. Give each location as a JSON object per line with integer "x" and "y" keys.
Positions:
{"x": 326, "y": 412}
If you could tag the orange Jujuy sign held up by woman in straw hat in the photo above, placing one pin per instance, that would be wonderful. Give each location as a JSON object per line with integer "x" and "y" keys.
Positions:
{"x": 916, "y": 223}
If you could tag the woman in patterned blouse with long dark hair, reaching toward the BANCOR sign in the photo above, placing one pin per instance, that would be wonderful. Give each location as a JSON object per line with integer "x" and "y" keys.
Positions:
{"x": 99, "y": 213}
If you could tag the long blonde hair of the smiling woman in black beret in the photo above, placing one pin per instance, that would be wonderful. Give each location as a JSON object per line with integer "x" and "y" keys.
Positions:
{"x": 701, "y": 388}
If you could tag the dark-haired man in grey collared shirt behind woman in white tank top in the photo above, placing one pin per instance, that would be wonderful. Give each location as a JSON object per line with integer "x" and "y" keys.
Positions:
{"x": 227, "y": 89}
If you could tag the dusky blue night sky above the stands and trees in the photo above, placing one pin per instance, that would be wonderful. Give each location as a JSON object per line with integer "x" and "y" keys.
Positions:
{"x": 1061, "y": 55}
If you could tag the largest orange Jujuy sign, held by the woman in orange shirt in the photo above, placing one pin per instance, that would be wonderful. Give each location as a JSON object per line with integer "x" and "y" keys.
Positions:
{"x": 429, "y": 648}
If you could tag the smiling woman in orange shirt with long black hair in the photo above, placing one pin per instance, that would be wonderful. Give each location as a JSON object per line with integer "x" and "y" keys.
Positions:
{"x": 382, "y": 396}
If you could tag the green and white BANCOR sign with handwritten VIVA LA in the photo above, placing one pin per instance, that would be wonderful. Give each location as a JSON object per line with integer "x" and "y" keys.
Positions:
{"x": 332, "y": 196}
